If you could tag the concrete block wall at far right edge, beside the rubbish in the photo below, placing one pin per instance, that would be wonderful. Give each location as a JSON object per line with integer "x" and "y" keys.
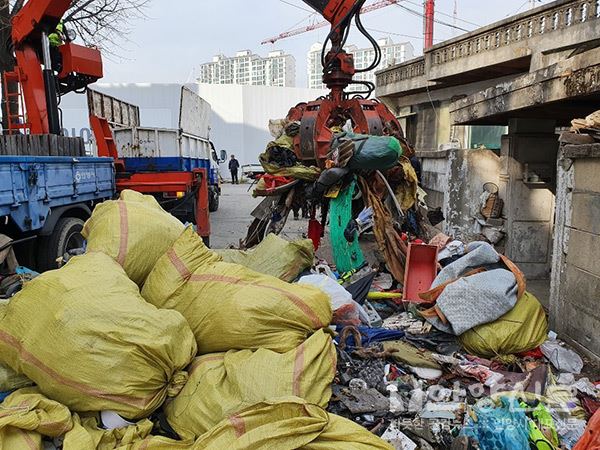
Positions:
{"x": 576, "y": 268}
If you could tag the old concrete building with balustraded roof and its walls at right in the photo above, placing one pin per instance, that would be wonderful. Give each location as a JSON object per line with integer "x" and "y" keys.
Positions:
{"x": 528, "y": 75}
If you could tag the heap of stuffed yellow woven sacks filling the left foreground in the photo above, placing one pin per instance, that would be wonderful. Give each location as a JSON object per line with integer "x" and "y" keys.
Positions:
{"x": 150, "y": 323}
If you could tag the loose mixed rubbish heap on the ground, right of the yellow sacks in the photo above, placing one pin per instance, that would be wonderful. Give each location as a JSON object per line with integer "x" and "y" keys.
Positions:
{"x": 464, "y": 362}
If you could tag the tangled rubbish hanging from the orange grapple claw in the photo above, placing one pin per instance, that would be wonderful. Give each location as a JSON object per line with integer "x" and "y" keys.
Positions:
{"x": 377, "y": 170}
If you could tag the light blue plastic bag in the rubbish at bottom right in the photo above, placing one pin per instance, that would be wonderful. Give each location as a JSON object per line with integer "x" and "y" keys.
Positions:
{"x": 499, "y": 427}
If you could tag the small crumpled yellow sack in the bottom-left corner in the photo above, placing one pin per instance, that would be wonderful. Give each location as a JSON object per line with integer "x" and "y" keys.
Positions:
{"x": 26, "y": 415}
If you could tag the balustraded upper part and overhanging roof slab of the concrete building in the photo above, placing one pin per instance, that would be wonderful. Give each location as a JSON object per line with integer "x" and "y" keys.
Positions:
{"x": 539, "y": 42}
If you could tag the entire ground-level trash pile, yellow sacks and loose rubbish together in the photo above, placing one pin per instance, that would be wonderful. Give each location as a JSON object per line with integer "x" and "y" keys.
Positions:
{"x": 150, "y": 340}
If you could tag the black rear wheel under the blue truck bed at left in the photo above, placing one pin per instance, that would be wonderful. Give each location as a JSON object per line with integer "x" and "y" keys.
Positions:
{"x": 65, "y": 236}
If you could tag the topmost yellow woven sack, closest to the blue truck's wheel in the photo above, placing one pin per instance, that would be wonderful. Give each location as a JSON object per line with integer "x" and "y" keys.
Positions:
{"x": 134, "y": 230}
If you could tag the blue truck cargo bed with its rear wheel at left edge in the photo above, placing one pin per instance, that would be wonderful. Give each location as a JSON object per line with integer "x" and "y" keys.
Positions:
{"x": 45, "y": 200}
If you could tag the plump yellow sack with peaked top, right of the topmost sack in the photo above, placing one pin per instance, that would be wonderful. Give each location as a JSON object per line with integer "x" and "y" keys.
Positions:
{"x": 230, "y": 307}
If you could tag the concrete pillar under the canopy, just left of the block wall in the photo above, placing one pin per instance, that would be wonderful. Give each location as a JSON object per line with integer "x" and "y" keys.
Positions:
{"x": 529, "y": 207}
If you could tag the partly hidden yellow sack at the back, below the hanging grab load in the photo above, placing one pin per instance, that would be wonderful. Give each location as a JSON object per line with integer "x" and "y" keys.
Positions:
{"x": 274, "y": 256}
